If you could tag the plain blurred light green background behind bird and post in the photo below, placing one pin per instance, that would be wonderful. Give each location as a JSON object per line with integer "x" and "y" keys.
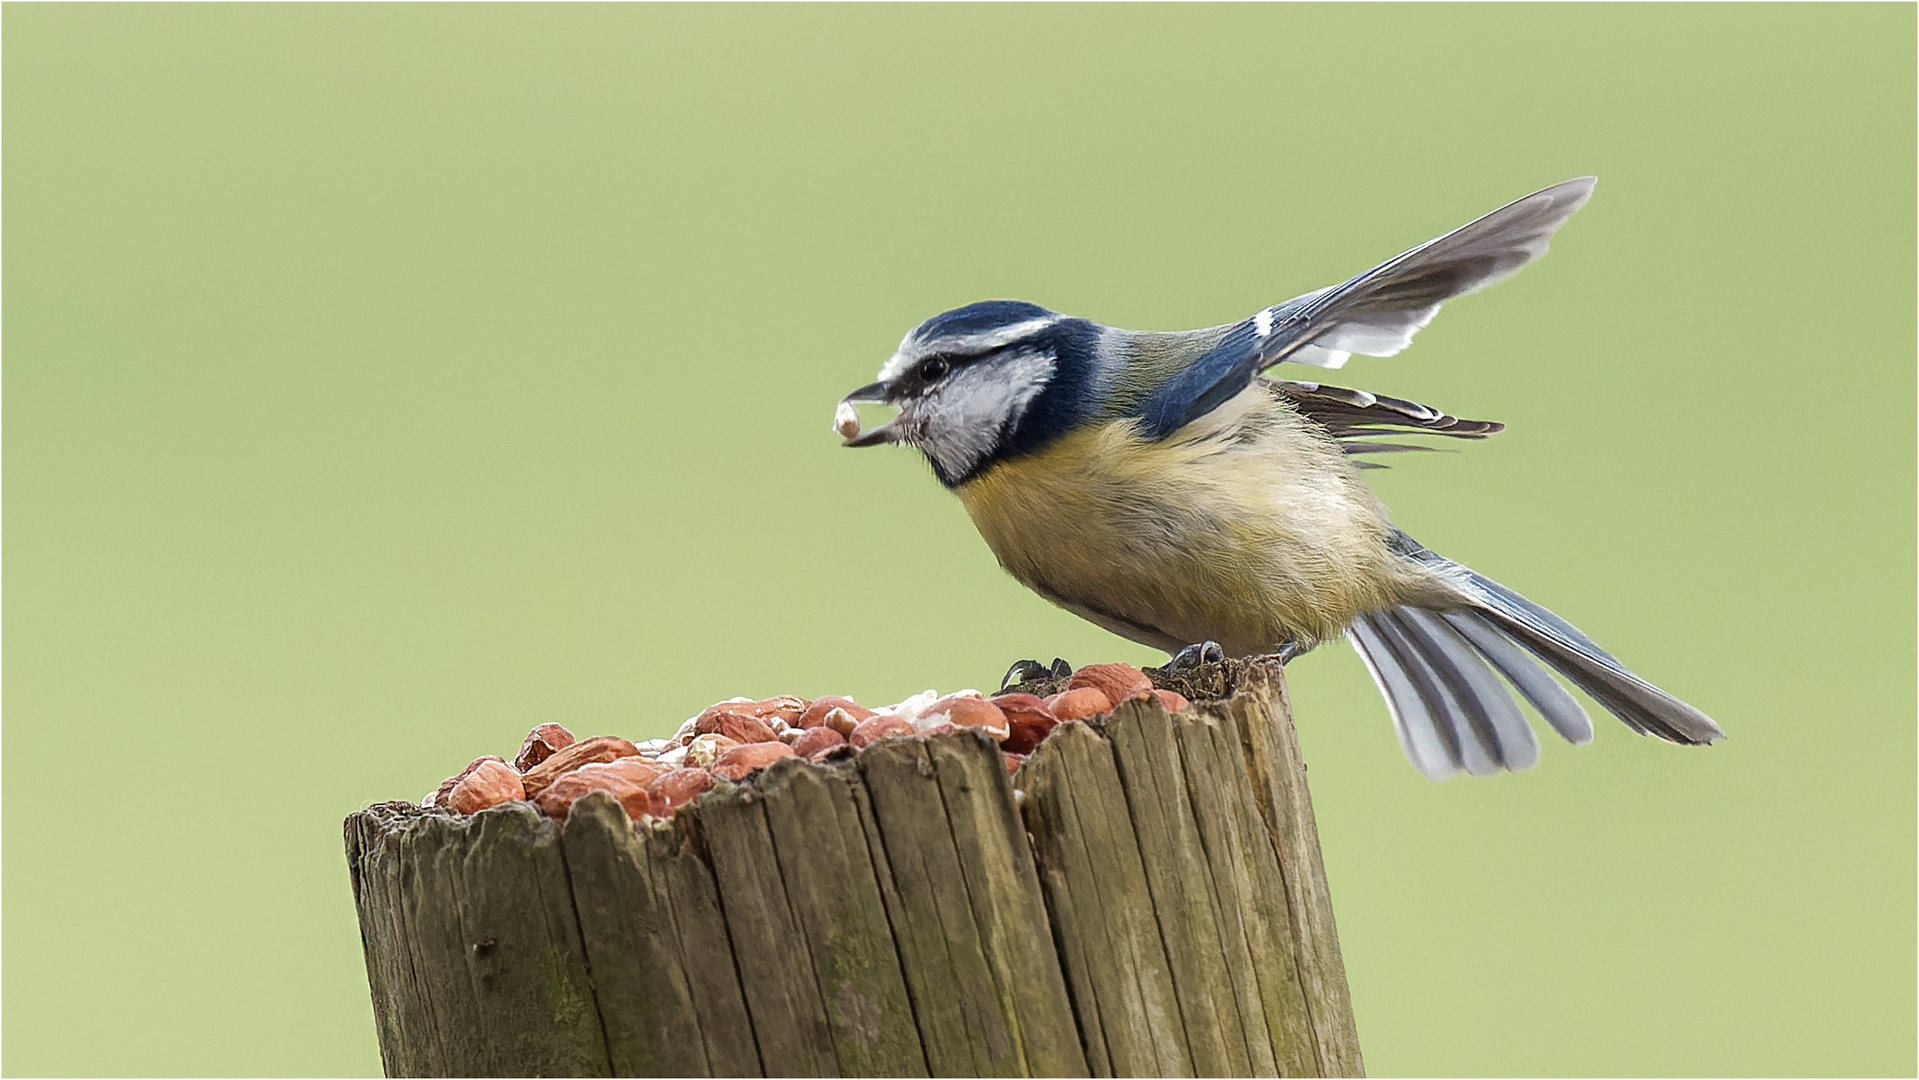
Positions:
{"x": 387, "y": 381}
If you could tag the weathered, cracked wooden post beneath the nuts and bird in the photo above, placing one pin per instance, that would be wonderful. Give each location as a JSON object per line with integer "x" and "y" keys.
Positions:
{"x": 1145, "y": 897}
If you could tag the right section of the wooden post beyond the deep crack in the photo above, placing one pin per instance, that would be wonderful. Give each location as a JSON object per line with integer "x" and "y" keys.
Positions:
{"x": 1256, "y": 993}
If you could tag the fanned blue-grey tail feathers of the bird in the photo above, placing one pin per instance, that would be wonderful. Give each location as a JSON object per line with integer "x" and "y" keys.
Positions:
{"x": 1436, "y": 670}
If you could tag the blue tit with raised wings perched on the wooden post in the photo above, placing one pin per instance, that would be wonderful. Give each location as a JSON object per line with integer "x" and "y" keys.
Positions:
{"x": 1164, "y": 488}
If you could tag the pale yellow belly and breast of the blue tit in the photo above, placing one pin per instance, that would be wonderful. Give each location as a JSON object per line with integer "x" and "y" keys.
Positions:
{"x": 1243, "y": 542}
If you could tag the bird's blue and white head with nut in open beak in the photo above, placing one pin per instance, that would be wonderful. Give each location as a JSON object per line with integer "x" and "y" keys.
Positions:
{"x": 976, "y": 385}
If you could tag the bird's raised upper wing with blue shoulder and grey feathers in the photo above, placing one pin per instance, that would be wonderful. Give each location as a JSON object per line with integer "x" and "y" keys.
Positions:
{"x": 1375, "y": 314}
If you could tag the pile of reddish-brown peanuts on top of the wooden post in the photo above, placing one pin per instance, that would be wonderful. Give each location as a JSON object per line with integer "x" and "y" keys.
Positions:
{"x": 740, "y": 738}
